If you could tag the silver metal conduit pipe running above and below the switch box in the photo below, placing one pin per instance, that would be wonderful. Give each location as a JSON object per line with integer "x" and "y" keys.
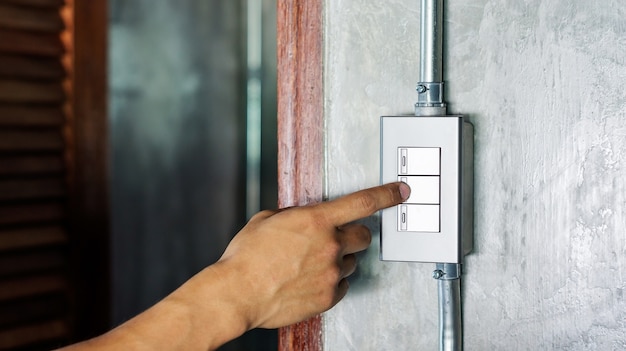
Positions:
{"x": 431, "y": 103}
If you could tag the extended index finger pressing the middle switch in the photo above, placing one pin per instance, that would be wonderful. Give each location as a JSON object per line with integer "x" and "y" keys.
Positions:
{"x": 364, "y": 203}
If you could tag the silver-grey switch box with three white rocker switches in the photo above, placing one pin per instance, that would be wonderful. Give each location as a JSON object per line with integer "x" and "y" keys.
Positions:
{"x": 434, "y": 155}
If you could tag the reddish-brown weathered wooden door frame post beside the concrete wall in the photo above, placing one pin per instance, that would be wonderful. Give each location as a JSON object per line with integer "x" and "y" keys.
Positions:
{"x": 300, "y": 129}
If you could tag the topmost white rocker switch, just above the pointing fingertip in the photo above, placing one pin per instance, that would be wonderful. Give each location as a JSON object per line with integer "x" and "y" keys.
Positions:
{"x": 419, "y": 160}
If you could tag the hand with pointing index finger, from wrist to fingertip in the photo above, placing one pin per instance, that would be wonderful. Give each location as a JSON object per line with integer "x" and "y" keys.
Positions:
{"x": 292, "y": 264}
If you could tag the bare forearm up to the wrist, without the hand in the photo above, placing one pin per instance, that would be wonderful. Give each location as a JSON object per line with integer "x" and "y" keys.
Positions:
{"x": 200, "y": 315}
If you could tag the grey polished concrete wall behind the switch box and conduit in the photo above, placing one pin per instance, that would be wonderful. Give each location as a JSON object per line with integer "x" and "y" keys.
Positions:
{"x": 543, "y": 83}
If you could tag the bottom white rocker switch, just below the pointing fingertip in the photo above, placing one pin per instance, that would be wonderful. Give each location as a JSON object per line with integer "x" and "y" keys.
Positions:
{"x": 418, "y": 218}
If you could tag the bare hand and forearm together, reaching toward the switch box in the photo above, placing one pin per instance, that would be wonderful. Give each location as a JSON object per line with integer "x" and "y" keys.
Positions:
{"x": 283, "y": 267}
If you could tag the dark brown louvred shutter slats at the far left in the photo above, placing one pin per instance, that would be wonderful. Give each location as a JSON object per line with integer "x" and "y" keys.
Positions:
{"x": 40, "y": 291}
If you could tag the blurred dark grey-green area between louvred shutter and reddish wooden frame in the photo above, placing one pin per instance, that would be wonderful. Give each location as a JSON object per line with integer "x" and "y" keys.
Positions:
{"x": 192, "y": 87}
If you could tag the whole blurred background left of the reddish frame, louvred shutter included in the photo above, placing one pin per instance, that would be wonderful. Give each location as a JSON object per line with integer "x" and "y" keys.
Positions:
{"x": 136, "y": 138}
